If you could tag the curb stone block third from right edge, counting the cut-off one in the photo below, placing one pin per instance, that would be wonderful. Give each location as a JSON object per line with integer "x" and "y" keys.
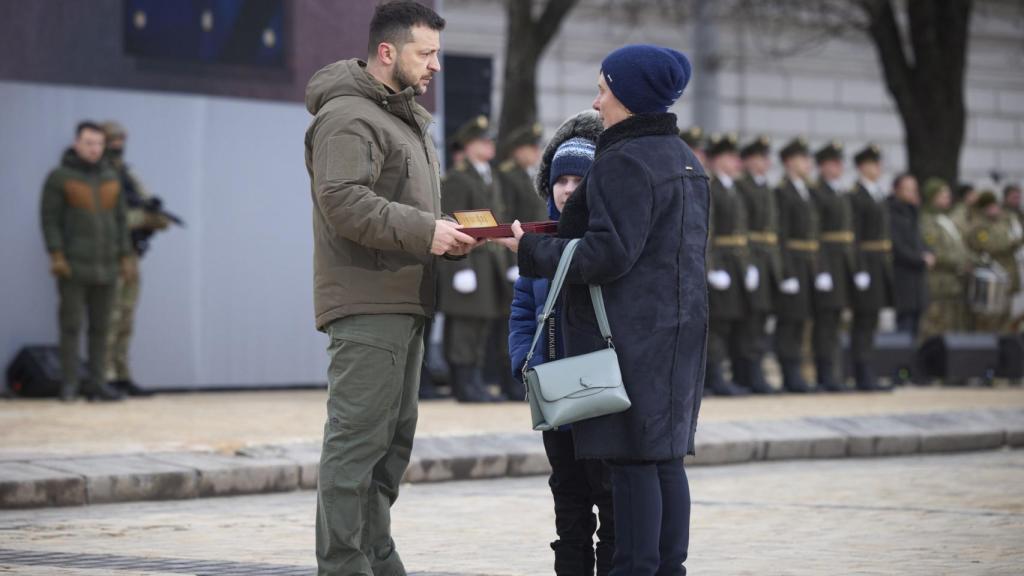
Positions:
{"x": 875, "y": 436}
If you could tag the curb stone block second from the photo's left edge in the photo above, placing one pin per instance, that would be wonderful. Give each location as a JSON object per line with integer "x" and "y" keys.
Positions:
{"x": 122, "y": 479}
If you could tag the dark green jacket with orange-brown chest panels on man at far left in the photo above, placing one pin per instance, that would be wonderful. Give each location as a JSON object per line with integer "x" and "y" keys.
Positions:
{"x": 83, "y": 217}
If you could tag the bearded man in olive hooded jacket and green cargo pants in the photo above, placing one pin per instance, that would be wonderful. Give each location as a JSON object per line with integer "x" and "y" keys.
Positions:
{"x": 377, "y": 228}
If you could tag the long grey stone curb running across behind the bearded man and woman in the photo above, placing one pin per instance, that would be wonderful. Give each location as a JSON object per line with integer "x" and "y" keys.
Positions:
{"x": 48, "y": 481}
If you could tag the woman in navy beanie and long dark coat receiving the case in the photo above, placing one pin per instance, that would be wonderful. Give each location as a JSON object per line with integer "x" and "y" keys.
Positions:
{"x": 643, "y": 217}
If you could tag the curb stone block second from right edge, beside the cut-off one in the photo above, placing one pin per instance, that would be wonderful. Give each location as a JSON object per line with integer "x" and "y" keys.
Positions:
{"x": 954, "y": 432}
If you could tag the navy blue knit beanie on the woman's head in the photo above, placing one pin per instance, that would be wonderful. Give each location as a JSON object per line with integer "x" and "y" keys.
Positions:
{"x": 647, "y": 79}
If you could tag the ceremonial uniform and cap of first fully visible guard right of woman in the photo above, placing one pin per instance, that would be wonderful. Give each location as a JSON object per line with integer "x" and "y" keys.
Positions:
{"x": 729, "y": 260}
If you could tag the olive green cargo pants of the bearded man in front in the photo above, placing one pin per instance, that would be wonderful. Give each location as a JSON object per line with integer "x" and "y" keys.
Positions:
{"x": 373, "y": 380}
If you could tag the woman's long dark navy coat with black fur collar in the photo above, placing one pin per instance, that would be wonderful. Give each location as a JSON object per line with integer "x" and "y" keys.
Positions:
{"x": 643, "y": 217}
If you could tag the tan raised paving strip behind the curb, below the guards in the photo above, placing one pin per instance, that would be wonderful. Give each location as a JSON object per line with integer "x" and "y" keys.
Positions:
{"x": 227, "y": 422}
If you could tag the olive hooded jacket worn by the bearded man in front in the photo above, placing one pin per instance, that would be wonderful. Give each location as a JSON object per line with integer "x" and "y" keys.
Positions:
{"x": 375, "y": 183}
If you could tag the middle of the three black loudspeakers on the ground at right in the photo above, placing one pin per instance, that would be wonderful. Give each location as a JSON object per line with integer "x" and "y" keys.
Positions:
{"x": 961, "y": 355}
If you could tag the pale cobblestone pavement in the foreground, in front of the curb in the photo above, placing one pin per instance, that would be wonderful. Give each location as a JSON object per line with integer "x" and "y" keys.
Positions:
{"x": 928, "y": 515}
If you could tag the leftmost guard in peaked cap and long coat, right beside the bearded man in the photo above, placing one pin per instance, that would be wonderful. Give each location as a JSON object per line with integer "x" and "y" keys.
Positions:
{"x": 473, "y": 291}
